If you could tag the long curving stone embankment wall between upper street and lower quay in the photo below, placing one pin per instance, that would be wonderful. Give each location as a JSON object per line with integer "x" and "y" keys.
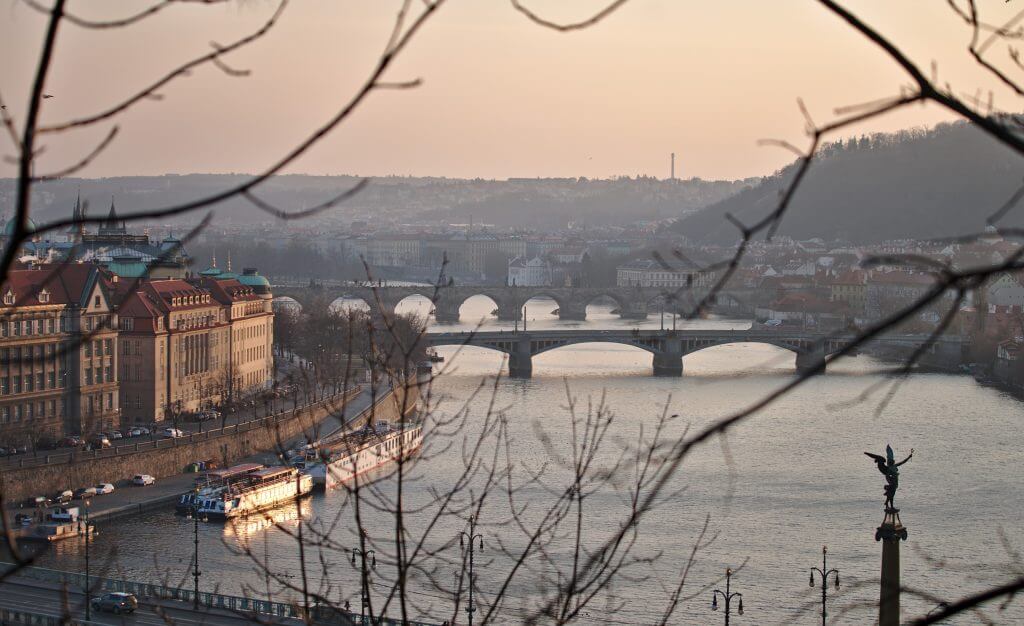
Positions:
{"x": 162, "y": 458}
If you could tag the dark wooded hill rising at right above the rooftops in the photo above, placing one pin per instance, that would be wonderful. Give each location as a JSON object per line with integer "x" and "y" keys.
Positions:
{"x": 919, "y": 184}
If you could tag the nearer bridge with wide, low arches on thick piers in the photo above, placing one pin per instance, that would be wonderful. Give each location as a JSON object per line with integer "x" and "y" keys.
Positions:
{"x": 669, "y": 348}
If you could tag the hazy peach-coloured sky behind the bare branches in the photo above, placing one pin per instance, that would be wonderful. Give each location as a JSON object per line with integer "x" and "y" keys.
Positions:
{"x": 501, "y": 97}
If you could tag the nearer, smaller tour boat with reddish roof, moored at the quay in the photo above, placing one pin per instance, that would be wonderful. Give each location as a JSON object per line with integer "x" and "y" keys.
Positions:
{"x": 254, "y": 492}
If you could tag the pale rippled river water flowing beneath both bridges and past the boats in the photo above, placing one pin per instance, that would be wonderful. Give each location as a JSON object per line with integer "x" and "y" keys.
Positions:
{"x": 777, "y": 489}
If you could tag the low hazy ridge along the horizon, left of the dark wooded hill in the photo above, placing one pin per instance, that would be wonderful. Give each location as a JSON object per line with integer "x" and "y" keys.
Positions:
{"x": 540, "y": 203}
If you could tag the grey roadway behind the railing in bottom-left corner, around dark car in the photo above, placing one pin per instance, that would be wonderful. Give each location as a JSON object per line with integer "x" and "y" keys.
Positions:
{"x": 52, "y": 600}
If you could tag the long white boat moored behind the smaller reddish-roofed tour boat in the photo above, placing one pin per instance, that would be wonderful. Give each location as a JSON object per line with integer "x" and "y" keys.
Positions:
{"x": 338, "y": 461}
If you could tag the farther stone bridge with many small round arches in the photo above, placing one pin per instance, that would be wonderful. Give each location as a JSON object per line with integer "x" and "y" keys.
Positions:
{"x": 633, "y": 303}
